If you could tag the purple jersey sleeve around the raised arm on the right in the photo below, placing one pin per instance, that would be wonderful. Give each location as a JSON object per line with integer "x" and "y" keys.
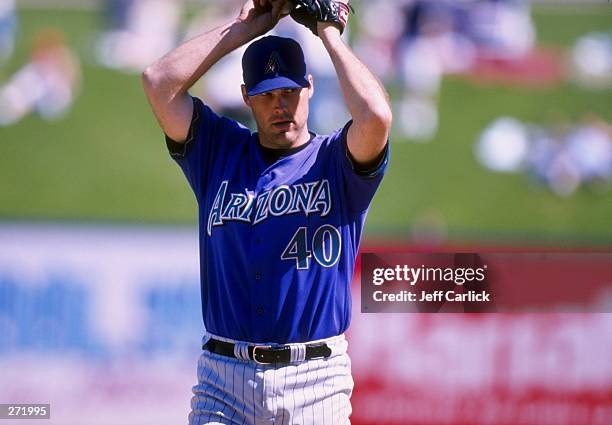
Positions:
{"x": 360, "y": 184}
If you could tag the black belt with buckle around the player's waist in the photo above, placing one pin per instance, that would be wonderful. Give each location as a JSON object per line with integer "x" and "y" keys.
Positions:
{"x": 265, "y": 354}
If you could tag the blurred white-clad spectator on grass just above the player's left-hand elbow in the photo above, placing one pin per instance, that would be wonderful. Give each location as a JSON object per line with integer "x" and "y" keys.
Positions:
{"x": 147, "y": 30}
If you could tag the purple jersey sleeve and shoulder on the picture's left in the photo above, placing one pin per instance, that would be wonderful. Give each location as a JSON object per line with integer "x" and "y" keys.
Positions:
{"x": 208, "y": 134}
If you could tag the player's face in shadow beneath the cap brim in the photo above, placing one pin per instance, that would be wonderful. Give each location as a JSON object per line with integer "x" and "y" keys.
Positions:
{"x": 281, "y": 116}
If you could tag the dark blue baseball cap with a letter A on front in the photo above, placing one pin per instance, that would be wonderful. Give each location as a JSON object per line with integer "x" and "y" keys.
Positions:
{"x": 272, "y": 63}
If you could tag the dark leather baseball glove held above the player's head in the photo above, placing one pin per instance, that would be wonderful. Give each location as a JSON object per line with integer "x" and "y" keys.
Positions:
{"x": 309, "y": 12}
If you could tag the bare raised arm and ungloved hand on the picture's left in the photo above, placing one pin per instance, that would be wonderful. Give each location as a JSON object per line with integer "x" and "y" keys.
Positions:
{"x": 166, "y": 81}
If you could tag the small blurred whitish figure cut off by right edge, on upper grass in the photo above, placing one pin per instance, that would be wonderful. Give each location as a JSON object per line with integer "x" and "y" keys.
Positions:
{"x": 591, "y": 60}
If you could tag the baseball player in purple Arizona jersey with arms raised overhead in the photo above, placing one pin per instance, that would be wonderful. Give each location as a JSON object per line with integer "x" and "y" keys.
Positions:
{"x": 281, "y": 211}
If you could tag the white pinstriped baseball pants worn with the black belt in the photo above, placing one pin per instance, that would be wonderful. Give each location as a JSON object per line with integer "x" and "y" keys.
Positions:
{"x": 236, "y": 391}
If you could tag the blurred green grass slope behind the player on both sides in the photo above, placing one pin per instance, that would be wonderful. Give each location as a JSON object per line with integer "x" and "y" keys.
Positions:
{"x": 107, "y": 161}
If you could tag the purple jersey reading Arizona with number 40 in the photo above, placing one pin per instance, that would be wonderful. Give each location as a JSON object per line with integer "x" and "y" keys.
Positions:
{"x": 278, "y": 241}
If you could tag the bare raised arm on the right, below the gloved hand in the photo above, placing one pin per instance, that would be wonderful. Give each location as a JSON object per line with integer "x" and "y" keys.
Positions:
{"x": 365, "y": 98}
